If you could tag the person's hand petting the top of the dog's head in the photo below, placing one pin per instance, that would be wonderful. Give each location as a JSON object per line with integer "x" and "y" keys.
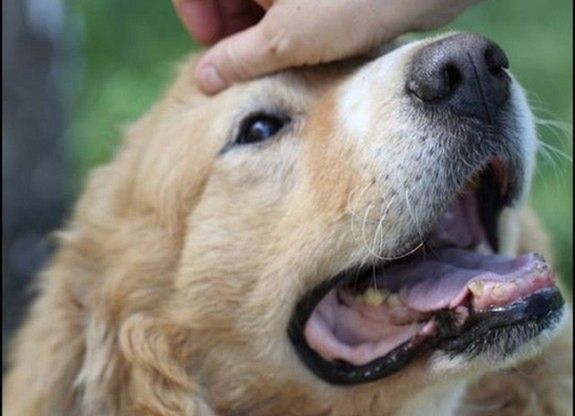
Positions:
{"x": 257, "y": 37}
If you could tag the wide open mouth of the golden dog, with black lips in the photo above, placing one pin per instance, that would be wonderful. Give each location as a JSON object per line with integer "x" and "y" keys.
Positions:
{"x": 453, "y": 293}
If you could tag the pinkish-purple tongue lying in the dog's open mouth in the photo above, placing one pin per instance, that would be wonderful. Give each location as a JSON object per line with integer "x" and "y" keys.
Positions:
{"x": 441, "y": 276}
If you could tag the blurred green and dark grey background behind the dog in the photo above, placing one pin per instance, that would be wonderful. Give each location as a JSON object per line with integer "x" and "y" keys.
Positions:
{"x": 75, "y": 72}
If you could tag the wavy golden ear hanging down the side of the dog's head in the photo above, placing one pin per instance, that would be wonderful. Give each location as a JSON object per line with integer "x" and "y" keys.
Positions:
{"x": 130, "y": 359}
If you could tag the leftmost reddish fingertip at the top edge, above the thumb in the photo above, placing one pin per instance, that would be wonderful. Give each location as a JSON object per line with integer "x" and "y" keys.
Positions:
{"x": 201, "y": 18}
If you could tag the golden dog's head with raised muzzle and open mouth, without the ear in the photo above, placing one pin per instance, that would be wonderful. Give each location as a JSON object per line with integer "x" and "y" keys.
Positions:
{"x": 345, "y": 233}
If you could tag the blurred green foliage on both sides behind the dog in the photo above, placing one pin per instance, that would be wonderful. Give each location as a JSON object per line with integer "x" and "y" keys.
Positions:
{"x": 130, "y": 49}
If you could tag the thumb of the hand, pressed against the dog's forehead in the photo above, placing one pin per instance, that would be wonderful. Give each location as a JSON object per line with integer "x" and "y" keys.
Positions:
{"x": 253, "y": 52}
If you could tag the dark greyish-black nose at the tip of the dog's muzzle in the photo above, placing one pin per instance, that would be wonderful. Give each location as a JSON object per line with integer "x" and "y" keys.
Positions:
{"x": 463, "y": 73}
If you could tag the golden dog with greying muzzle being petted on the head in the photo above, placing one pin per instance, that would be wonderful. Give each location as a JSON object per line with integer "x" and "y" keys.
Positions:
{"x": 346, "y": 239}
